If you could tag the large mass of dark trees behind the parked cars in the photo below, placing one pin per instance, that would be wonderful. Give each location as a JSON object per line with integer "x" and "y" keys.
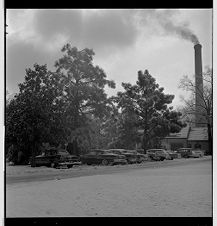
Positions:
{"x": 70, "y": 106}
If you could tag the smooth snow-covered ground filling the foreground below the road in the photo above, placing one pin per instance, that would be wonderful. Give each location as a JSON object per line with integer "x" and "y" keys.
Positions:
{"x": 150, "y": 192}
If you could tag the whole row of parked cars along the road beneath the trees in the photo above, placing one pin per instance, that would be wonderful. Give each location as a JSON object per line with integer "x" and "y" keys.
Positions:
{"x": 61, "y": 158}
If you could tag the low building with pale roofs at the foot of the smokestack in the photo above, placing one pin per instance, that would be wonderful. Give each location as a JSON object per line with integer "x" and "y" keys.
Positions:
{"x": 195, "y": 137}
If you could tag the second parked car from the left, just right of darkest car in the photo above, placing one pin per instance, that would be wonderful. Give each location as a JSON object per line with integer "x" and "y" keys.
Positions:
{"x": 103, "y": 157}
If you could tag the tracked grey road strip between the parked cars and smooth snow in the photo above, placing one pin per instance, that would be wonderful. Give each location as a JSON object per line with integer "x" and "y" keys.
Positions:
{"x": 17, "y": 174}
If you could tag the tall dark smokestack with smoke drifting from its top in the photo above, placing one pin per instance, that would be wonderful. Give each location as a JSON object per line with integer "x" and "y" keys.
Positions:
{"x": 199, "y": 103}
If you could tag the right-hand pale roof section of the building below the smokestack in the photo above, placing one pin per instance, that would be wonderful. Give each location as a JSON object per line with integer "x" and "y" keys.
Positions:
{"x": 198, "y": 133}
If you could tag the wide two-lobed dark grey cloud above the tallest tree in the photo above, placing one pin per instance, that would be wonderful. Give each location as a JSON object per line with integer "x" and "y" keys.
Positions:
{"x": 99, "y": 30}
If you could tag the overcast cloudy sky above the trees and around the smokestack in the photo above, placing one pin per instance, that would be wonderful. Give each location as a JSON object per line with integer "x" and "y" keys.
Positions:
{"x": 124, "y": 42}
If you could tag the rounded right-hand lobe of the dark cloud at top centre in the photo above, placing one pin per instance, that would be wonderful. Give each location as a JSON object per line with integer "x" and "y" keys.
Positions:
{"x": 113, "y": 28}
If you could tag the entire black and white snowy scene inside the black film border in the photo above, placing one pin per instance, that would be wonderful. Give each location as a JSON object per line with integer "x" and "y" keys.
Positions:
{"x": 109, "y": 113}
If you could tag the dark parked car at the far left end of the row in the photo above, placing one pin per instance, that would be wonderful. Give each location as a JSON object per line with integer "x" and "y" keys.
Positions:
{"x": 55, "y": 158}
